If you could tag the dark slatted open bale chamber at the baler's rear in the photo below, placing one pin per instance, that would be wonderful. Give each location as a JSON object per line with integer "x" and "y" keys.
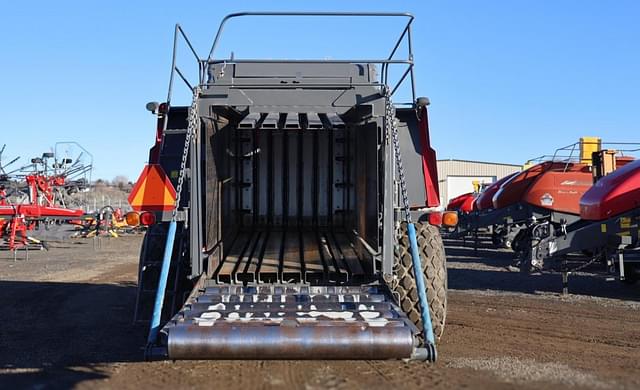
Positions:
{"x": 299, "y": 199}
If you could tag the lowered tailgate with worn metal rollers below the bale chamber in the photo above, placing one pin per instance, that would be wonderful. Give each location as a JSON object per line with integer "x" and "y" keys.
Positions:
{"x": 289, "y": 322}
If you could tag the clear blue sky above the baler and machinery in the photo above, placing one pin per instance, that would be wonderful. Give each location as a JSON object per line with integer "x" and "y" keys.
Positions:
{"x": 507, "y": 80}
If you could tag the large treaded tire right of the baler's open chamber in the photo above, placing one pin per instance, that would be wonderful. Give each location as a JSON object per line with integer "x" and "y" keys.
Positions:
{"x": 434, "y": 269}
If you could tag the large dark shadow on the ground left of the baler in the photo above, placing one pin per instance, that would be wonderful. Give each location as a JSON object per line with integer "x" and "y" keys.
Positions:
{"x": 58, "y": 334}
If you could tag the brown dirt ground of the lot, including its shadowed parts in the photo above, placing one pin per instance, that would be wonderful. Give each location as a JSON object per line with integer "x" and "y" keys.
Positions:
{"x": 66, "y": 322}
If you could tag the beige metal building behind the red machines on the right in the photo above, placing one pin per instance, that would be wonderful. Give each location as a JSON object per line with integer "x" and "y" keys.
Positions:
{"x": 456, "y": 177}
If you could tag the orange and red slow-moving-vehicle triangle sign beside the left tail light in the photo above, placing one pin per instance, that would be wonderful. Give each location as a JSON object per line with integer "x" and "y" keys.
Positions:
{"x": 153, "y": 191}
